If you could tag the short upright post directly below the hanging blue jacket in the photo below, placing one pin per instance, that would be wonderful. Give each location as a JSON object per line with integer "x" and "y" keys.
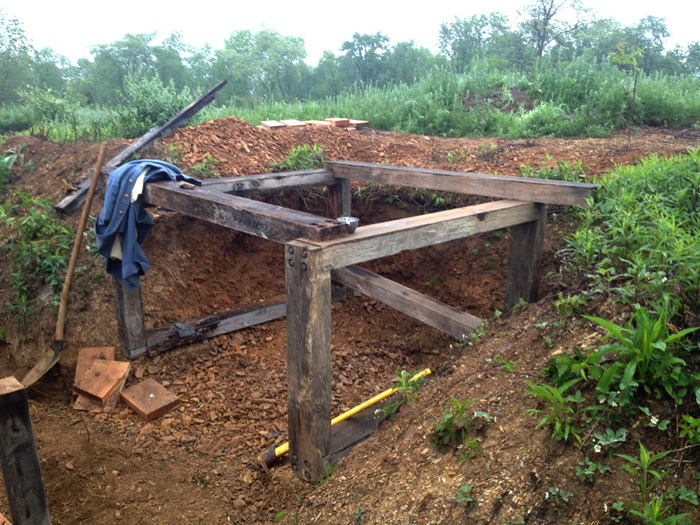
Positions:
{"x": 132, "y": 333}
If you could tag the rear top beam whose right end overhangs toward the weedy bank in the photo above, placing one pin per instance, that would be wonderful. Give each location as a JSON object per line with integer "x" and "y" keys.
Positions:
{"x": 499, "y": 186}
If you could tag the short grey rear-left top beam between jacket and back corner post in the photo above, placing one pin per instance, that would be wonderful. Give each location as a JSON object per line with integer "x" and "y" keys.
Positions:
{"x": 270, "y": 182}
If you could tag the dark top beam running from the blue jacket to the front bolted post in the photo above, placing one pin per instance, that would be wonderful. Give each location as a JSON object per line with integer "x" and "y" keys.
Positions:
{"x": 268, "y": 221}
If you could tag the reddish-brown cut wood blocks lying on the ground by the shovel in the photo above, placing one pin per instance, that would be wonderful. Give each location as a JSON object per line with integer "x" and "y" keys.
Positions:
{"x": 99, "y": 383}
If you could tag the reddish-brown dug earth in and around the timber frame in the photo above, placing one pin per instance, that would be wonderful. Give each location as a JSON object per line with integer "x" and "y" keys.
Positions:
{"x": 198, "y": 465}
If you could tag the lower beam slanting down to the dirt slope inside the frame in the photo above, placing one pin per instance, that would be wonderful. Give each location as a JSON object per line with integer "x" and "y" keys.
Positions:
{"x": 434, "y": 313}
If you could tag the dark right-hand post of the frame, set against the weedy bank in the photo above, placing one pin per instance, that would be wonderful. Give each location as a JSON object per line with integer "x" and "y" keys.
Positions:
{"x": 525, "y": 259}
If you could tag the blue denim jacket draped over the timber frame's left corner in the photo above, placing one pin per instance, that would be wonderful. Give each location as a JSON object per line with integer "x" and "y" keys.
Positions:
{"x": 120, "y": 215}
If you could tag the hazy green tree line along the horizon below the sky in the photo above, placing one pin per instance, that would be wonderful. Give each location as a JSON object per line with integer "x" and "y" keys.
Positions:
{"x": 266, "y": 65}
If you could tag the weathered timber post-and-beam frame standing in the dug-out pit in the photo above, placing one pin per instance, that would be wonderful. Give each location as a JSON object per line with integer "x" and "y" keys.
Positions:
{"x": 320, "y": 250}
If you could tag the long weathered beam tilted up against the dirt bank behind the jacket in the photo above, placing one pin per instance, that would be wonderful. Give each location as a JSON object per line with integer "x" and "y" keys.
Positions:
{"x": 70, "y": 203}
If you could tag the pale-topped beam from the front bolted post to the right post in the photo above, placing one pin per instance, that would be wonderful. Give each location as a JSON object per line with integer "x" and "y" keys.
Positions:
{"x": 387, "y": 238}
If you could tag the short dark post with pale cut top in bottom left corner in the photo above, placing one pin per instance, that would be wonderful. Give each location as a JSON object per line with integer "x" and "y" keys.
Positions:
{"x": 19, "y": 459}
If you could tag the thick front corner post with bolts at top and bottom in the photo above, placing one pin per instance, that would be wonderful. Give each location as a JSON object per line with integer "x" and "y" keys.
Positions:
{"x": 308, "y": 360}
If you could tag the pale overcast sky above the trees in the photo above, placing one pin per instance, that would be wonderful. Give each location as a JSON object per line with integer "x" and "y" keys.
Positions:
{"x": 69, "y": 27}
